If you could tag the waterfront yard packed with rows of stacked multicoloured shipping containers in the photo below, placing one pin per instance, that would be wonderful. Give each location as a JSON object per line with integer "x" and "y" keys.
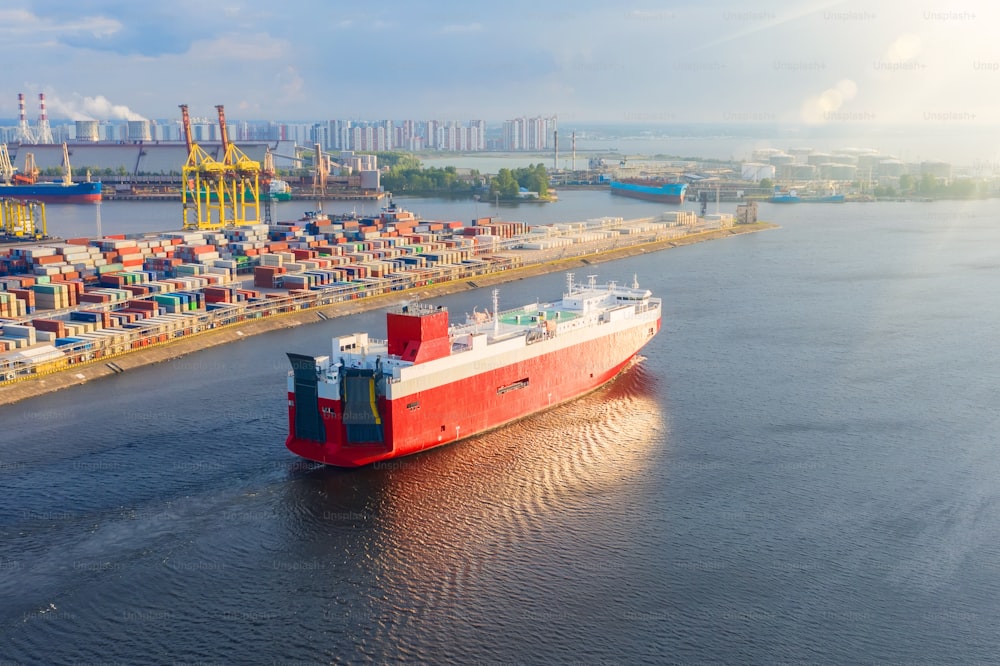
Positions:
{"x": 72, "y": 302}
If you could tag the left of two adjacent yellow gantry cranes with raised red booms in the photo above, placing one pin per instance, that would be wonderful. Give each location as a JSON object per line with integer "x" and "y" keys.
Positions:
{"x": 203, "y": 189}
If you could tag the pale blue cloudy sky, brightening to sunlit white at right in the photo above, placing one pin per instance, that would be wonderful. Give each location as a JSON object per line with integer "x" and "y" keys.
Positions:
{"x": 820, "y": 63}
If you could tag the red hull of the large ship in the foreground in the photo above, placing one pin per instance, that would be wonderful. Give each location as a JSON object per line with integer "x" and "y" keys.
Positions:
{"x": 474, "y": 403}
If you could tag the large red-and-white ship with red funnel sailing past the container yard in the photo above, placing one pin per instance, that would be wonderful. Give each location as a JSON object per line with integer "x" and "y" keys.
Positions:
{"x": 431, "y": 383}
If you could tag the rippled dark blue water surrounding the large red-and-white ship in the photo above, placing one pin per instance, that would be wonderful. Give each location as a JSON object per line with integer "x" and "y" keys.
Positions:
{"x": 801, "y": 468}
